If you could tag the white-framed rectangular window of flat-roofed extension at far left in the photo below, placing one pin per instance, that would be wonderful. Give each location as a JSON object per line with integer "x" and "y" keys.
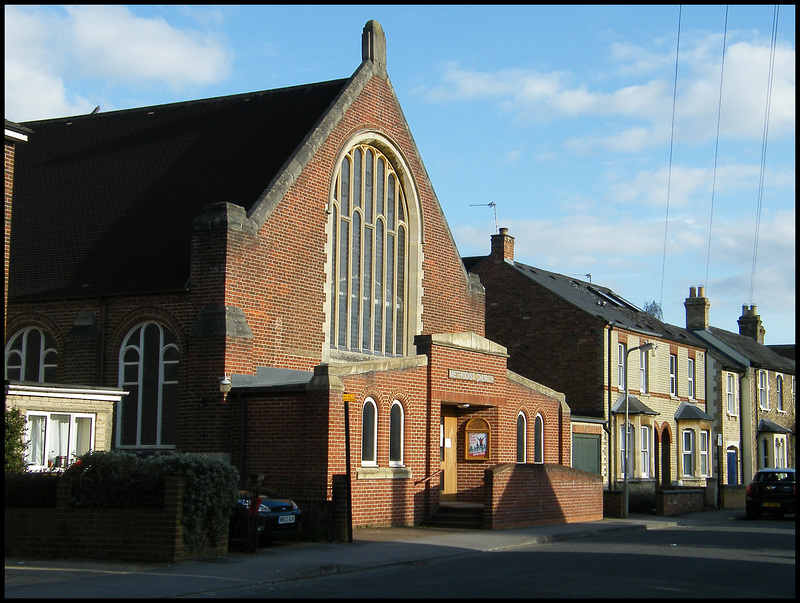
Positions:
{"x": 56, "y": 439}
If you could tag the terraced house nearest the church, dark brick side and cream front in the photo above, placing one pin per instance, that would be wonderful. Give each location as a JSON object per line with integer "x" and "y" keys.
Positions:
{"x": 588, "y": 342}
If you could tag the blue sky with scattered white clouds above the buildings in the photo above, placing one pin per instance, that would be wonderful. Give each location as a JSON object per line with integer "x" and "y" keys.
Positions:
{"x": 562, "y": 116}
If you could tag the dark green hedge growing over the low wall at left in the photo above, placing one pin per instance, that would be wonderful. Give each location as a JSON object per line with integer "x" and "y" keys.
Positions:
{"x": 119, "y": 479}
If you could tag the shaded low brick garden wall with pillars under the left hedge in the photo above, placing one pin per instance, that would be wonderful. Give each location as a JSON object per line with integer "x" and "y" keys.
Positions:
{"x": 123, "y": 534}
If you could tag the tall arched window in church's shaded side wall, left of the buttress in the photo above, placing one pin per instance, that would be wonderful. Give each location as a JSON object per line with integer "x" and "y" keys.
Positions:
{"x": 148, "y": 370}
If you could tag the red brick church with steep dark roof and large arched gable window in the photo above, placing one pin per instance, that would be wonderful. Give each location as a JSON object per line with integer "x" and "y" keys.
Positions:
{"x": 271, "y": 279}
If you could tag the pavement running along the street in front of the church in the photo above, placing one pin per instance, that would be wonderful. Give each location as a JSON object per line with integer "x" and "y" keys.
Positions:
{"x": 280, "y": 561}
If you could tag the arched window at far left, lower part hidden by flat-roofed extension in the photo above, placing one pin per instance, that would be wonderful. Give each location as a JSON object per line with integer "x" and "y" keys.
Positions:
{"x": 31, "y": 356}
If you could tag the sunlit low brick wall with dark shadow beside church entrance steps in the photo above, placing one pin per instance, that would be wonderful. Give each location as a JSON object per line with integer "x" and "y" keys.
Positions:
{"x": 521, "y": 495}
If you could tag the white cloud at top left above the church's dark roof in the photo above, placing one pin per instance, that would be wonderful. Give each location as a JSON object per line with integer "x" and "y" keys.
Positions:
{"x": 49, "y": 48}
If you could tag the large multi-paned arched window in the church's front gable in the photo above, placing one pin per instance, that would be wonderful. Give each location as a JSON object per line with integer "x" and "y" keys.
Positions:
{"x": 370, "y": 250}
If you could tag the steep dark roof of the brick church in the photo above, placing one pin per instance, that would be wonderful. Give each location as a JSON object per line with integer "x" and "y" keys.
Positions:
{"x": 103, "y": 203}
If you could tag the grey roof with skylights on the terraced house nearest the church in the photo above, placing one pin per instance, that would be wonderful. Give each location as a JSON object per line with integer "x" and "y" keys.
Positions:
{"x": 600, "y": 302}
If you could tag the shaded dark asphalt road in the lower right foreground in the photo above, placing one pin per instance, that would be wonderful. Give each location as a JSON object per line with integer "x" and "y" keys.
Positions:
{"x": 738, "y": 558}
